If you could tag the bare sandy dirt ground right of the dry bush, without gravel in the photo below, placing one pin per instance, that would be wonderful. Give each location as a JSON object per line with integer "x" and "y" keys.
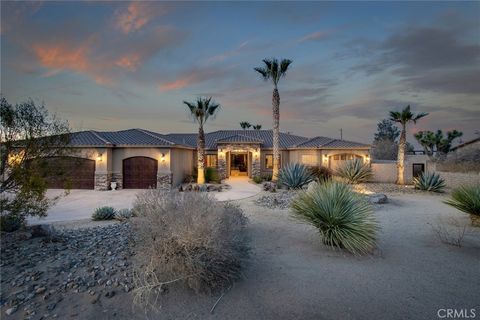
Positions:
{"x": 293, "y": 276}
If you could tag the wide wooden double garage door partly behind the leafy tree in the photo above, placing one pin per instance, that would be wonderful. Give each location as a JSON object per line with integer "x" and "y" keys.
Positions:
{"x": 70, "y": 172}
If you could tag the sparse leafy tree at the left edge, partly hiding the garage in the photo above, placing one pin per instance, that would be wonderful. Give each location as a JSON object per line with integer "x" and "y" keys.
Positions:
{"x": 29, "y": 137}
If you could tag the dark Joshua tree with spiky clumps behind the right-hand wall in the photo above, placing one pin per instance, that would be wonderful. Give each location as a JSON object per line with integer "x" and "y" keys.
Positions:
{"x": 436, "y": 145}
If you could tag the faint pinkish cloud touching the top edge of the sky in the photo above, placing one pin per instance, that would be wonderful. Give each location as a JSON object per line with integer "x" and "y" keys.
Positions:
{"x": 137, "y": 15}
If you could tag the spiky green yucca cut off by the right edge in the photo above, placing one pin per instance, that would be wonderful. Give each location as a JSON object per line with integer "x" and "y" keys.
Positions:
{"x": 467, "y": 199}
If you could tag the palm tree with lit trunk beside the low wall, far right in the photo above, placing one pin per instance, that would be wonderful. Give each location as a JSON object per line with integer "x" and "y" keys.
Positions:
{"x": 403, "y": 117}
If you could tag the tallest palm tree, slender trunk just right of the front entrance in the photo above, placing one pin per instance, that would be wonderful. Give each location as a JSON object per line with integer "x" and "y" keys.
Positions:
{"x": 273, "y": 70}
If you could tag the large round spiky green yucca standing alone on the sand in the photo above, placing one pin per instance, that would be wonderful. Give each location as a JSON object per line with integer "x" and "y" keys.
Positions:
{"x": 344, "y": 218}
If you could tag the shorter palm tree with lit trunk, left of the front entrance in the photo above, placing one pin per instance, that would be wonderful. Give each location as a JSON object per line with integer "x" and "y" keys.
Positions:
{"x": 201, "y": 110}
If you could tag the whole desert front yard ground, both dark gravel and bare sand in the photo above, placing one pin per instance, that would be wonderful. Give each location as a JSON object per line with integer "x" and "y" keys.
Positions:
{"x": 83, "y": 273}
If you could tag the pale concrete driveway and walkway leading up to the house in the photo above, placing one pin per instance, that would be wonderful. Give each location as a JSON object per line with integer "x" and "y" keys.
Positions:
{"x": 80, "y": 204}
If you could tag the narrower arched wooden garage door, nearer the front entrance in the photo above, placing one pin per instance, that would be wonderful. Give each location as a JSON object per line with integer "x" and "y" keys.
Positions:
{"x": 139, "y": 173}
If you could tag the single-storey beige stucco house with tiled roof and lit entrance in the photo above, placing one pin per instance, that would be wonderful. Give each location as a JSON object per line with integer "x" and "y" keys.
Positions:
{"x": 138, "y": 159}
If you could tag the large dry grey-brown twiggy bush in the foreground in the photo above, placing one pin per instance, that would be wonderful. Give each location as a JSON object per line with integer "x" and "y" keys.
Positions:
{"x": 187, "y": 238}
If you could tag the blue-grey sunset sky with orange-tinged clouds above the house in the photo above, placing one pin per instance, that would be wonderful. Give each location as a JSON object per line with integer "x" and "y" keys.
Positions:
{"x": 119, "y": 65}
